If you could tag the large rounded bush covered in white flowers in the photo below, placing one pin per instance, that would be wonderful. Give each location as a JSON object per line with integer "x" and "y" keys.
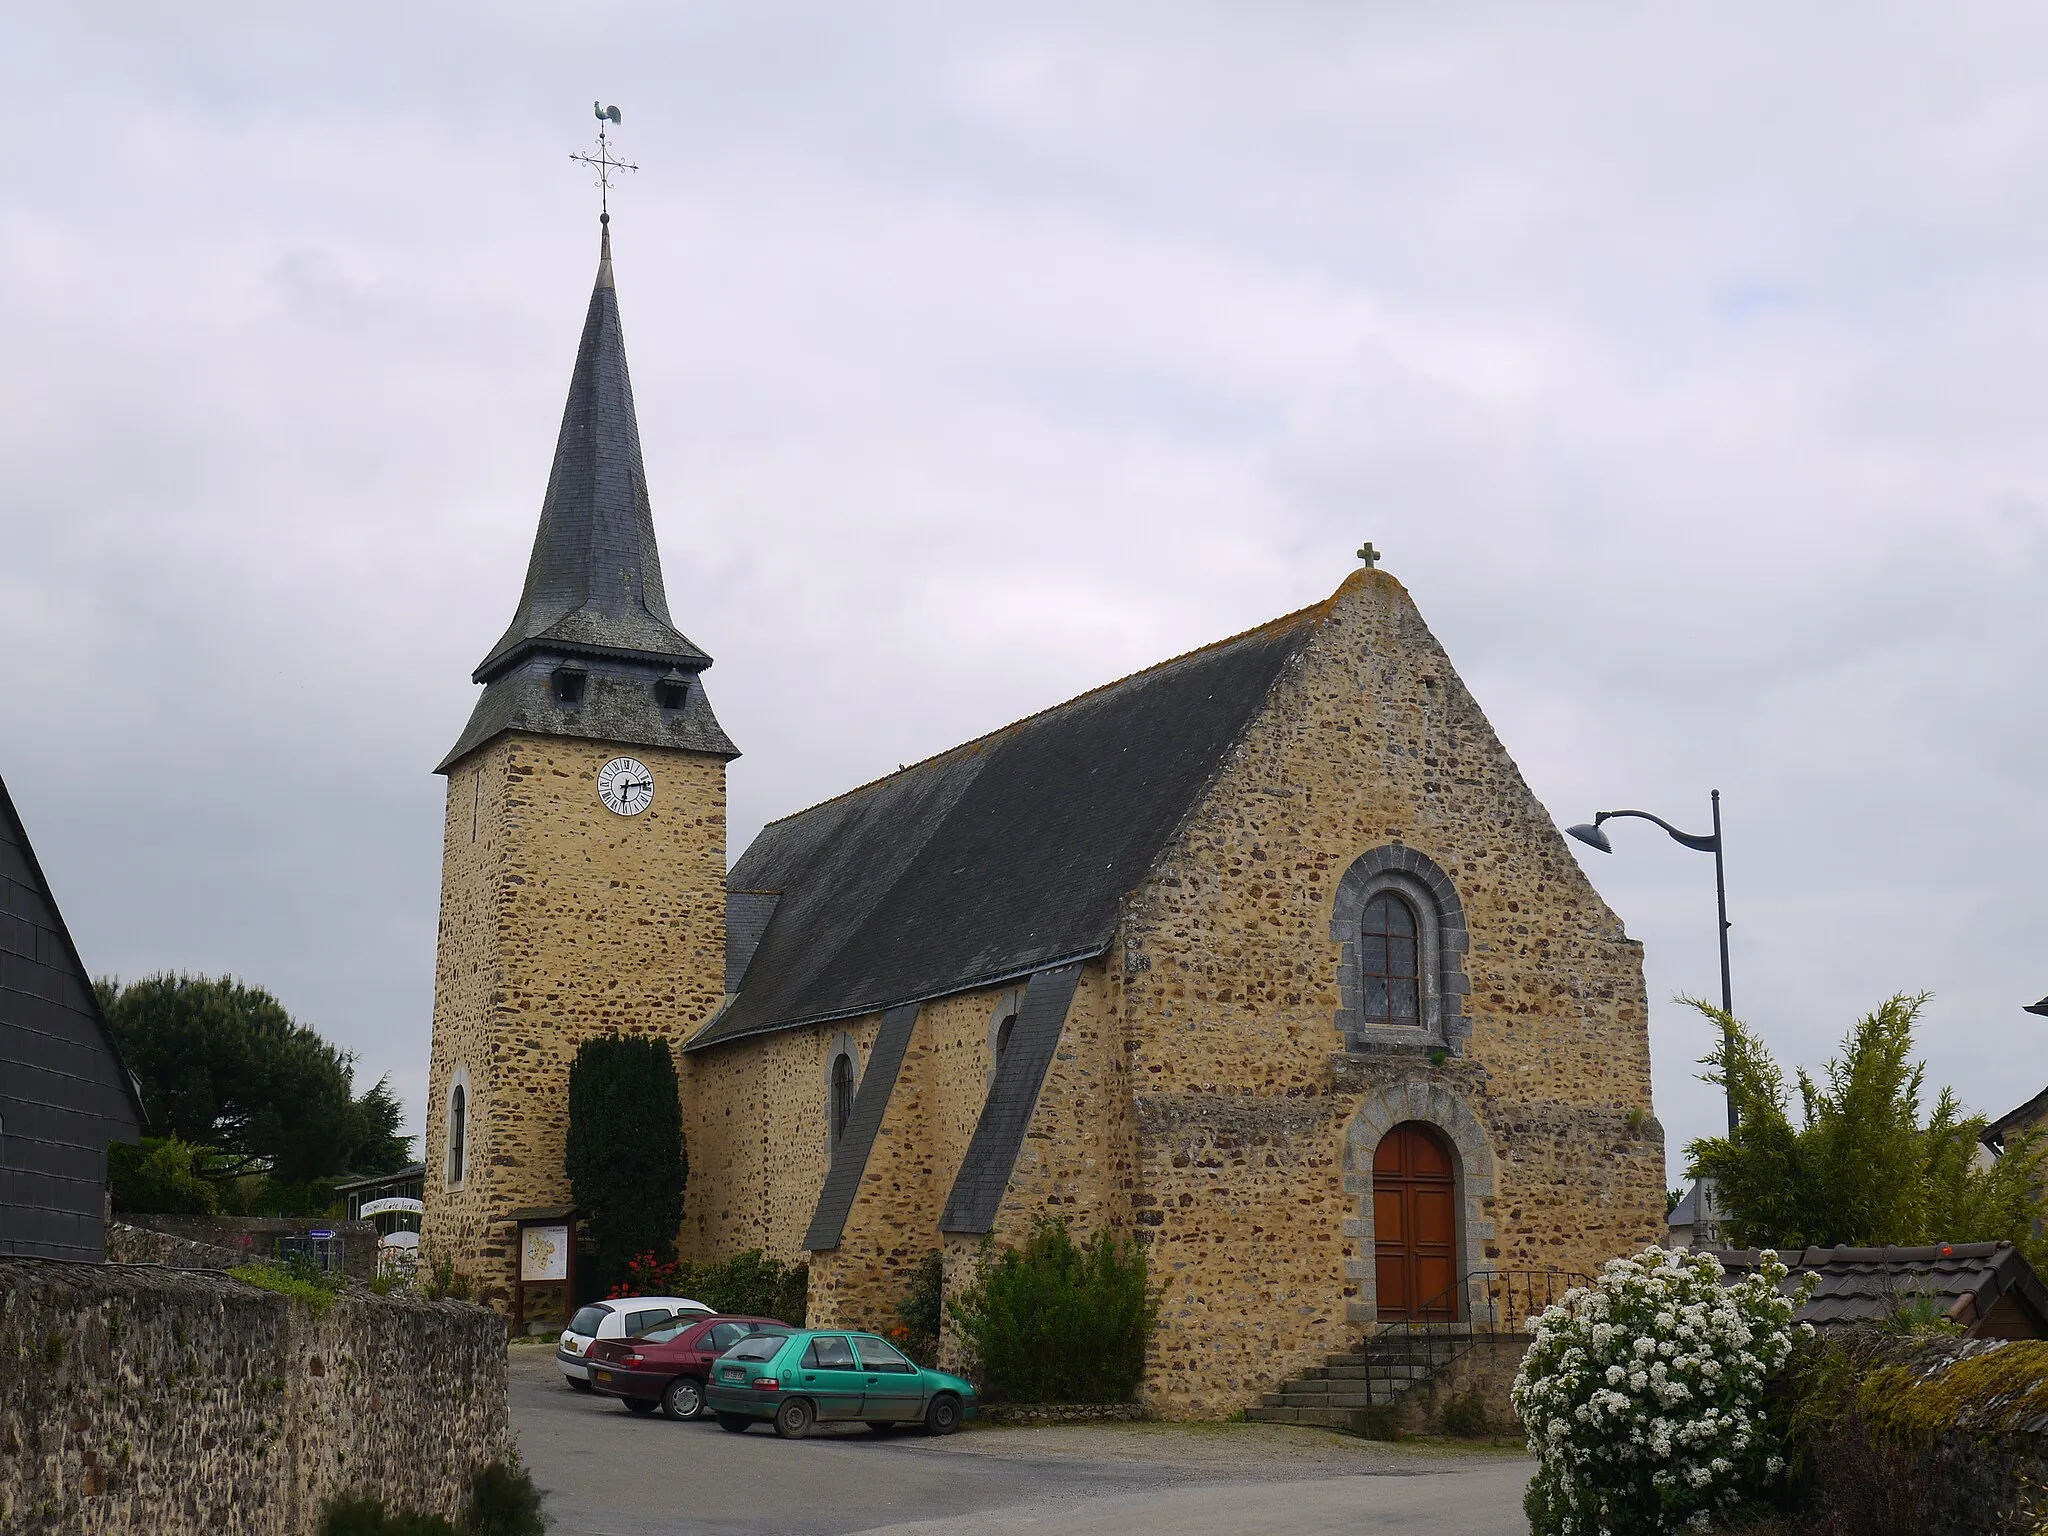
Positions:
{"x": 1644, "y": 1396}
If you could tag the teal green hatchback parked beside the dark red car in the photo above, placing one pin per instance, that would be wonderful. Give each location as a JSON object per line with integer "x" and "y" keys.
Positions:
{"x": 822, "y": 1375}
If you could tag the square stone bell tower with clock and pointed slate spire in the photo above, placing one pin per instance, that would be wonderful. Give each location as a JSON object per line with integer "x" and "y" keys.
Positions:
{"x": 583, "y": 884}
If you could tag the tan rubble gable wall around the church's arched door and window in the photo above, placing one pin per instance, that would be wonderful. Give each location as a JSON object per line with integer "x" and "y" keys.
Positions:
{"x": 1240, "y": 1084}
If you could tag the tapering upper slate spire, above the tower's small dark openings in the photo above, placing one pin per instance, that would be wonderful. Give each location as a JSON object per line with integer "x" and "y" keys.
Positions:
{"x": 595, "y": 579}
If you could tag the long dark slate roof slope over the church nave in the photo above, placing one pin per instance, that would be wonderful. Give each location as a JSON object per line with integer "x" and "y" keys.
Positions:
{"x": 998, "y": 859}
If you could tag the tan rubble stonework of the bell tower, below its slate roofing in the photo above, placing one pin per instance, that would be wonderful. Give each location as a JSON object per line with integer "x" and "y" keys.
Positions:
{"x": 558, "y": 923}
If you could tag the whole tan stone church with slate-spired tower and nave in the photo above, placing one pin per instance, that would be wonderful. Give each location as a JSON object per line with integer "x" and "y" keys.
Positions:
{"x": 1265, "y": 955}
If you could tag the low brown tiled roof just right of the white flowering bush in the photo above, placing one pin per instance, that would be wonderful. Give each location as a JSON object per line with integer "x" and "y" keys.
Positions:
{"x": 1867, "y": 1285}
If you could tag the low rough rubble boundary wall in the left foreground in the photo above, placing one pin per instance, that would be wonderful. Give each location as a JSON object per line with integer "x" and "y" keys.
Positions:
{"x": 142, "y": 1402}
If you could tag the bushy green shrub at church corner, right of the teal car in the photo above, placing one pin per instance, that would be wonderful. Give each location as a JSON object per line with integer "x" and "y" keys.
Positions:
{"x": 1056, "y": 1322}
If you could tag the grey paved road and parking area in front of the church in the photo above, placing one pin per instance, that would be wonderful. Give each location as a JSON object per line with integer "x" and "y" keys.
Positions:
{"x": 611, "y": 1474}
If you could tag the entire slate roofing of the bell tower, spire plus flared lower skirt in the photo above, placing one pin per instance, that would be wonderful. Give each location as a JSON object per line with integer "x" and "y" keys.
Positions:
{"x": 593, "y": 650}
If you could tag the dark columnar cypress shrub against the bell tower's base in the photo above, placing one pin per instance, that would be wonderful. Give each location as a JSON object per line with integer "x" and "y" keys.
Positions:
{"x": 626, "y": 1156}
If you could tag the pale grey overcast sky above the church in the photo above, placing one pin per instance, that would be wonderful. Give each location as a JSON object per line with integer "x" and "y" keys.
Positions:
{"x": 1684, "y": 361}
